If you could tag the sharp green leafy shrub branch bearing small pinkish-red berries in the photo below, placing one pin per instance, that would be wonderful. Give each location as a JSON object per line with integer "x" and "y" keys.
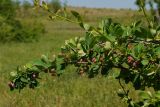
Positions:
{"x": 133, "y": 50}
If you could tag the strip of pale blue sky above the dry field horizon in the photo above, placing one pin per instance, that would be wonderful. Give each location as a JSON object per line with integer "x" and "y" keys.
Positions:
{"x": 102, "y": 3}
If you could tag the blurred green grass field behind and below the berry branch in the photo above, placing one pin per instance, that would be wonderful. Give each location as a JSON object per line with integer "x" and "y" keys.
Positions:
{"x": 69, "y": 90}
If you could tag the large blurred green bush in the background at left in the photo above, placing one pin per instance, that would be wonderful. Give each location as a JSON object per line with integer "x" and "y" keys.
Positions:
{"x": 14, "y": 29}
